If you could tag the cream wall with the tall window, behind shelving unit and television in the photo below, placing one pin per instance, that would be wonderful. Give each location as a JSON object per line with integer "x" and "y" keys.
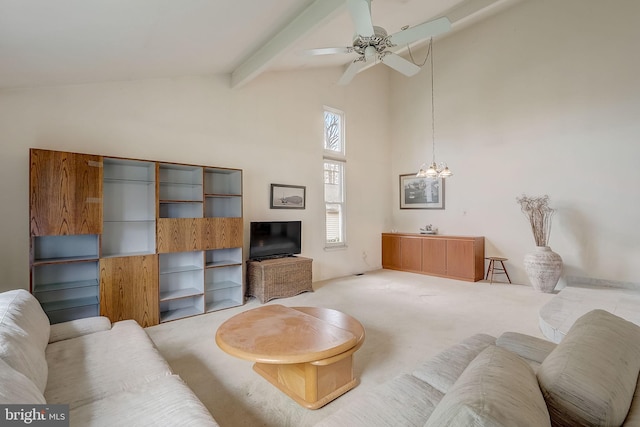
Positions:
{"x": 271, "y": 128}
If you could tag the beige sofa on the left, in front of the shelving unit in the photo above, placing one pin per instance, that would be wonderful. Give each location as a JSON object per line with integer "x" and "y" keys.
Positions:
{"x": 109, "y": 375}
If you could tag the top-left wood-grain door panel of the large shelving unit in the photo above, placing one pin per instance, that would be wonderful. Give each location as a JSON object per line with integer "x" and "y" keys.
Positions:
{"x": 65, "y": 193}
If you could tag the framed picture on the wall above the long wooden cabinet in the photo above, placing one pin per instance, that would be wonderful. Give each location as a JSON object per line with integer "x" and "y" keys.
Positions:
{"x": 421, "y": 193}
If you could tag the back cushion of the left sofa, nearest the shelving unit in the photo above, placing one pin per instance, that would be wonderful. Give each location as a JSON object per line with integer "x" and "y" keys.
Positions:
{"x": 24, "y": 334}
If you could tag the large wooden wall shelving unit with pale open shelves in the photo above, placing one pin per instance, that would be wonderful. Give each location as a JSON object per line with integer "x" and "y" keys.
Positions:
{"x": 133, "y": 239}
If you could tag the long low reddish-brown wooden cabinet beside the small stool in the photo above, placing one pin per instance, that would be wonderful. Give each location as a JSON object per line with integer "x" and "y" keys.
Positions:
{"x": 455, "y": 257}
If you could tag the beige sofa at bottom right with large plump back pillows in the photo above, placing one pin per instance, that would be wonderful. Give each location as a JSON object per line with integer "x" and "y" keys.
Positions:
{"x": 589, "y": 379}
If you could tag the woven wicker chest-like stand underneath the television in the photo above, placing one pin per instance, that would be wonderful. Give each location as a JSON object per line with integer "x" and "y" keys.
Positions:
{"x": 278, "y": 278}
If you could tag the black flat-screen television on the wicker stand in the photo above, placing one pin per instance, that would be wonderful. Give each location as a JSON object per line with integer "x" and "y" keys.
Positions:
{"x": 275, "y": 239}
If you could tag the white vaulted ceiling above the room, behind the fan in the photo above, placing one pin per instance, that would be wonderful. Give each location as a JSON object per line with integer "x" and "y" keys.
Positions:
{"x": 53, "y": 42}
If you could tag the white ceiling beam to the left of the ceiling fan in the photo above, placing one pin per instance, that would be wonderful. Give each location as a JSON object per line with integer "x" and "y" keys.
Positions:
{"x": 310, "y": 19}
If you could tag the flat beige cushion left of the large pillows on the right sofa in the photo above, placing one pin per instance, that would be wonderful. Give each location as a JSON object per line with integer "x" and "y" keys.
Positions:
{"x": 443, "y": 370}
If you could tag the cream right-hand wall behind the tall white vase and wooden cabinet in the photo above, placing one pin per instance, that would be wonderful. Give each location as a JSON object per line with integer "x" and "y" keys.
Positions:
{"x": 543, "y": 98}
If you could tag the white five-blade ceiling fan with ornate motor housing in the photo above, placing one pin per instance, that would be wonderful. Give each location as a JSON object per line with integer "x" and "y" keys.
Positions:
{"x": 372, "y": 43}
